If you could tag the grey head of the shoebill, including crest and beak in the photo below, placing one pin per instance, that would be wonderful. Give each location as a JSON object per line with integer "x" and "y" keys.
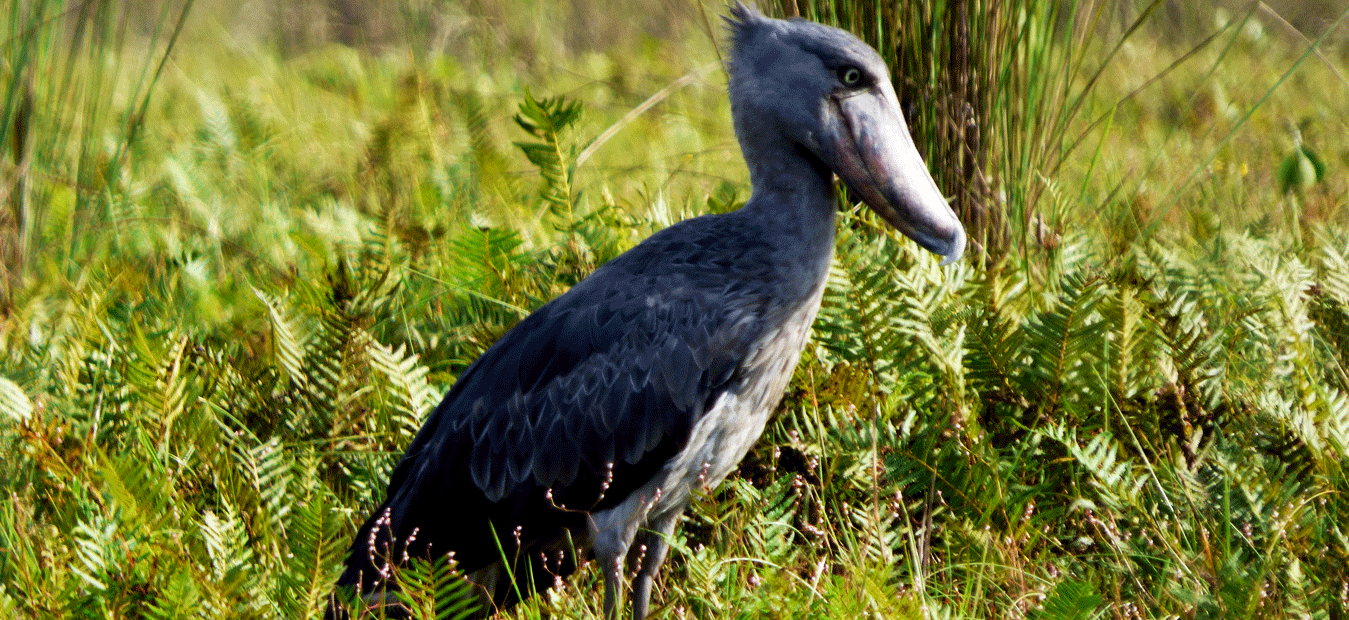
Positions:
{"x": 830, "y": 95}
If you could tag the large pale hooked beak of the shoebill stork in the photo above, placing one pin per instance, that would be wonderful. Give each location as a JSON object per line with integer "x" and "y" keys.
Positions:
{"x": 879, "y": 162}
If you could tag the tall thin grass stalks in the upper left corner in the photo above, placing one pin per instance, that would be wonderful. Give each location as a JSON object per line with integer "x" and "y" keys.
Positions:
{"x": 76, "y": 96}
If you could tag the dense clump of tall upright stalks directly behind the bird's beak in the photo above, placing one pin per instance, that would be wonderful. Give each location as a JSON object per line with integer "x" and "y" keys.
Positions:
{"x": 992, "y": 92}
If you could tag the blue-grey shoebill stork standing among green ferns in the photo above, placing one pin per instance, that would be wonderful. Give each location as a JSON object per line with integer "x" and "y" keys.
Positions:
{"x": 583, "y": 431}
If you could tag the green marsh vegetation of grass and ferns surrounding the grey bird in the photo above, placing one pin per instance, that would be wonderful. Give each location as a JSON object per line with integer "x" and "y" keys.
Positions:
{"x": 237, "y": 281}
